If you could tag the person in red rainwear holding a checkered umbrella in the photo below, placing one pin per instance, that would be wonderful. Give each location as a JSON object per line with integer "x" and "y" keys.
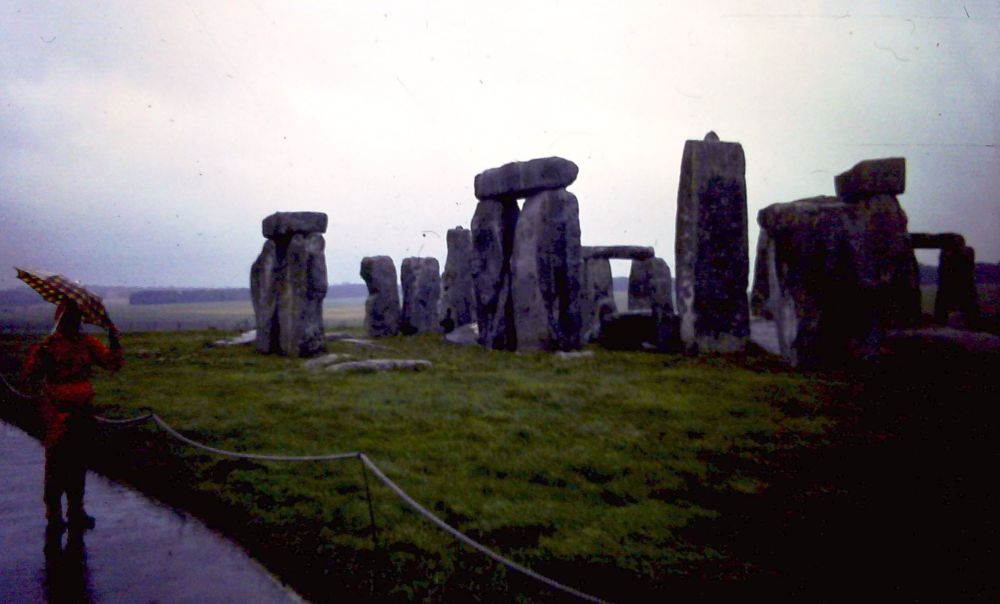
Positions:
{"x": 62, "y": 365}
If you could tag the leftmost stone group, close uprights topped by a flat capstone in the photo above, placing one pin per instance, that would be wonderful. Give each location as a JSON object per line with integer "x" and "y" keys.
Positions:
{"x": 288, "y": 283}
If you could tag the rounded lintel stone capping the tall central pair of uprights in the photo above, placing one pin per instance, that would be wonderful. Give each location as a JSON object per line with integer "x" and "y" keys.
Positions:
{"x": 524, "y": 179}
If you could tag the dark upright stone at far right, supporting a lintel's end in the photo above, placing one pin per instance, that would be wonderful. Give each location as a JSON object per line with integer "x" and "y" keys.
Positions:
{"x": 957, "y": 287}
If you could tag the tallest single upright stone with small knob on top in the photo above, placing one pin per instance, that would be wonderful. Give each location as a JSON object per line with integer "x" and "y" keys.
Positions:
{"x": 712, "y": 252}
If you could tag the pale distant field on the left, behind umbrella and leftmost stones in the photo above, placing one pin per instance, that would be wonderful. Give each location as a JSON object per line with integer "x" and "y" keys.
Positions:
{"x": 337, "y": 312}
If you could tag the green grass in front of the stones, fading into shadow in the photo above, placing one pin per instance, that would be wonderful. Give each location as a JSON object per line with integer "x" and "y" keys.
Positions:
{"x": 587, "y": 467}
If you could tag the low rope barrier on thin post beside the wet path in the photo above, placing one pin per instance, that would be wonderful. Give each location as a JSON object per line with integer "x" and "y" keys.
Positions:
{"x": 367, "y": 463}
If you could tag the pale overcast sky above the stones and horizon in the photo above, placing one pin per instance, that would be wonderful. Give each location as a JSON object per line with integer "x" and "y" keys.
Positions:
{"x": 143, "y": 143}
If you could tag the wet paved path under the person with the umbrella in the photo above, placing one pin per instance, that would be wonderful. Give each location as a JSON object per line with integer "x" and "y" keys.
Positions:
{"x": 141, "y": 551}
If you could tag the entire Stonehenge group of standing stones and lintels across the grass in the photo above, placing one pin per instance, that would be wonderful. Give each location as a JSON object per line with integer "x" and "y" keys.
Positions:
{"x": 834, "y": 273}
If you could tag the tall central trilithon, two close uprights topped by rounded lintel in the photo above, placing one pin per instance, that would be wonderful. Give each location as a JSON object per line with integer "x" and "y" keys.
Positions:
{"x": 527, "y": 263}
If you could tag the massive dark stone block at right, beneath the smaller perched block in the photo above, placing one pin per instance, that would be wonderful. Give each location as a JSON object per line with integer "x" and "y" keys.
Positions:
{"x": 839, "y": 275}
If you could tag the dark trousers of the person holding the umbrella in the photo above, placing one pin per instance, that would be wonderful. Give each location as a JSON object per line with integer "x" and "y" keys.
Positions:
{"x": 66, "y": 467}
